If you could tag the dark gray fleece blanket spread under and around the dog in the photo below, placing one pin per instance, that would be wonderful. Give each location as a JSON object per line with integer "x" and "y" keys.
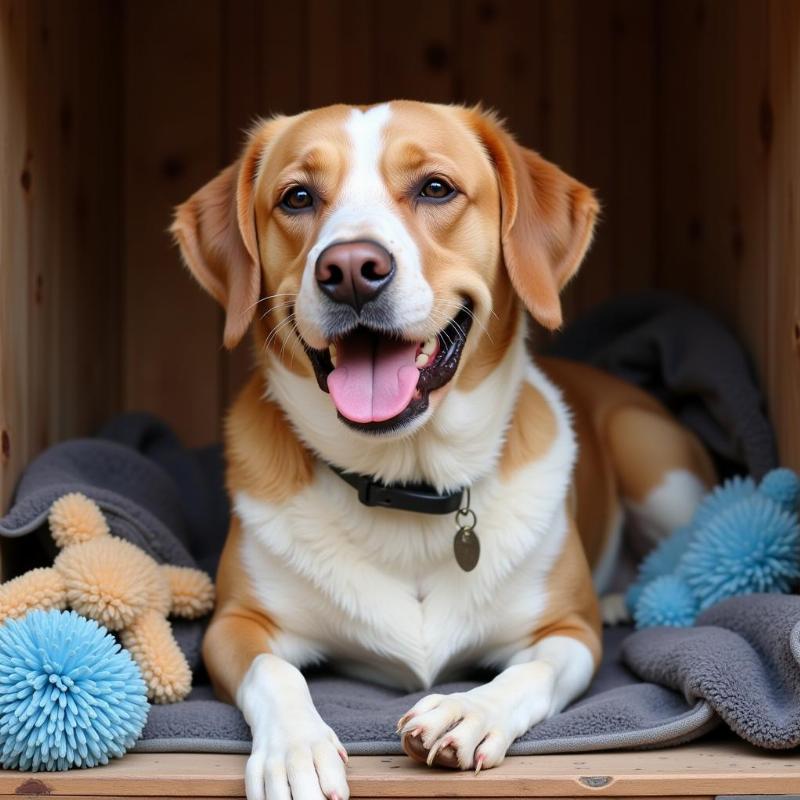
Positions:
{"x": 741, "y": 665}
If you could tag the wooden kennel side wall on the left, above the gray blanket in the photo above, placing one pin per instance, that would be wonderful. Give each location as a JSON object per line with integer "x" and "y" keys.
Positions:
{"x": 60, "y": 150}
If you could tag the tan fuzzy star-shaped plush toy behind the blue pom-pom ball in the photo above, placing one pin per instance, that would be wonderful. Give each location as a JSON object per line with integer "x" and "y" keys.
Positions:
{"x": 114, "y": 582}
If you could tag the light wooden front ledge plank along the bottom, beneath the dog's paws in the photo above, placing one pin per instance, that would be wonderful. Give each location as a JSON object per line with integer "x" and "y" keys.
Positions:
{"x": 692, "y": 770}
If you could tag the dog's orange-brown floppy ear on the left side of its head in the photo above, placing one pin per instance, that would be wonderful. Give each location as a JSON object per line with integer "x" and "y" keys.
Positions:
{"x": 216, "y": 231}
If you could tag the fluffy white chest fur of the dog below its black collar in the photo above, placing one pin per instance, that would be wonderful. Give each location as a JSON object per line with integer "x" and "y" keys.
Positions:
{"x": 378, "y": 592}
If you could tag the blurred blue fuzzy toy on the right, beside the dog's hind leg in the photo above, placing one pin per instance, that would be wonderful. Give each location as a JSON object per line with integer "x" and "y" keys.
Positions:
{"x": 743, "y": 538}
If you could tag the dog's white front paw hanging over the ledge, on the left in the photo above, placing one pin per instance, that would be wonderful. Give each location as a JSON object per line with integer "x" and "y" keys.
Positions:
{"x": 301, "y": 759}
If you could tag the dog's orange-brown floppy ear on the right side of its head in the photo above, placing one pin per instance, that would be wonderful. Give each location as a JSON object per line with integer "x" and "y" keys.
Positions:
{"x": 547, "y": 220}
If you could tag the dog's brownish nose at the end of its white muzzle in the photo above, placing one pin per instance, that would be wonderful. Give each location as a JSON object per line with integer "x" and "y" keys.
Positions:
{"x": 354, "y": 272}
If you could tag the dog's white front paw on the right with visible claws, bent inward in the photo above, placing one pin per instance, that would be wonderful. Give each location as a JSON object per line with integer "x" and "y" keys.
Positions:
{"x": 466, "y": 730}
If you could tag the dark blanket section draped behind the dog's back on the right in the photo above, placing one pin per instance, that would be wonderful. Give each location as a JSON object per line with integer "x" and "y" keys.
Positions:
{"x": 689, "y": 361}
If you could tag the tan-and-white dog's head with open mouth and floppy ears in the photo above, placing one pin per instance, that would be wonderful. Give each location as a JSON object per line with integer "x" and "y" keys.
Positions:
{"x": 390, "y": 245}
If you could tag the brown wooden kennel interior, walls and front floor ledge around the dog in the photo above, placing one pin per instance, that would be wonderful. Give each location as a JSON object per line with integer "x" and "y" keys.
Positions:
{"x": 683, "y": 114}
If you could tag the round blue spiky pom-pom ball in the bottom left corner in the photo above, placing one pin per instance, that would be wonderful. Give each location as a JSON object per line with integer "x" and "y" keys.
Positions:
{"x": 69, "y": 695}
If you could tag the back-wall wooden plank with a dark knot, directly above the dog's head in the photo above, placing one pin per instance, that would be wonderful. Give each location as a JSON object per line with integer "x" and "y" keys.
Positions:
{"x": 416, "y": 50}
